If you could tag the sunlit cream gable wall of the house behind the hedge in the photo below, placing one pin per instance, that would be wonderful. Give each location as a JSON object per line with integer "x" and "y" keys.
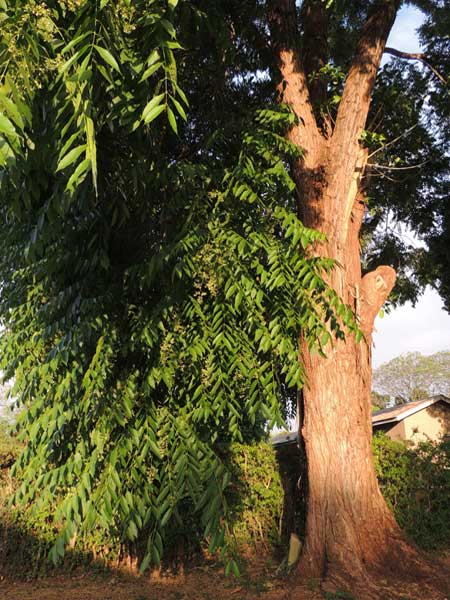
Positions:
{"x": 430, "y": 424}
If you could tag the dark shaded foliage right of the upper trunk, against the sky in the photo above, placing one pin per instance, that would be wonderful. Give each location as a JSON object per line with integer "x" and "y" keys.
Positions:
{"x": 410, "y": 169}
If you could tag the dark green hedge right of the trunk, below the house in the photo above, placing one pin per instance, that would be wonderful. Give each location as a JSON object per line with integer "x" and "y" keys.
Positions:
{"x": 416, "y": 483}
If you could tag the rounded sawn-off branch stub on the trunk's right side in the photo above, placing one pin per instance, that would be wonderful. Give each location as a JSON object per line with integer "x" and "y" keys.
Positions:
{"x": 375, "y": 289}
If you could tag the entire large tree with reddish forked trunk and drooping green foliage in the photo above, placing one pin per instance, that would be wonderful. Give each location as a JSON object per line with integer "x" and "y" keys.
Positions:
{"x": 105, "y": 194}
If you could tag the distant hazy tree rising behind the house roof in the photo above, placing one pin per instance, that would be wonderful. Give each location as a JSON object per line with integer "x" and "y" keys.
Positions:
{"x": 413, "y": 376}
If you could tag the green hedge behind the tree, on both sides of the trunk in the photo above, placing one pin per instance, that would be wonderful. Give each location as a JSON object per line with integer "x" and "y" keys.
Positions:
{"x": 414, "y": 480}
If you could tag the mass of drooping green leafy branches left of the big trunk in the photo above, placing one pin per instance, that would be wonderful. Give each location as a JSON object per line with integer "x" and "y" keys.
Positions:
{"x": 153, "y": 278}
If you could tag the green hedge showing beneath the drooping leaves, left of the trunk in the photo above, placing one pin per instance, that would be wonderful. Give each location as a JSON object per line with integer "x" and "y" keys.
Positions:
{"x": 254, "y": 500}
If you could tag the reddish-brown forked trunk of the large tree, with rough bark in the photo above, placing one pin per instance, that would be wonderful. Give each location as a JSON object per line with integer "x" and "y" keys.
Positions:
{"x": 348, "y": 526}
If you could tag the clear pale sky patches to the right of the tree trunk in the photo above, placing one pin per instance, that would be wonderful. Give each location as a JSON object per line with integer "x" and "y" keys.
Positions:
{"x": 425, "y": 328}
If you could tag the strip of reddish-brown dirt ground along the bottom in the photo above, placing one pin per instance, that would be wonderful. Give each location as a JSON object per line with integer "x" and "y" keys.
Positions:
{"x": 204, "y": 583}
